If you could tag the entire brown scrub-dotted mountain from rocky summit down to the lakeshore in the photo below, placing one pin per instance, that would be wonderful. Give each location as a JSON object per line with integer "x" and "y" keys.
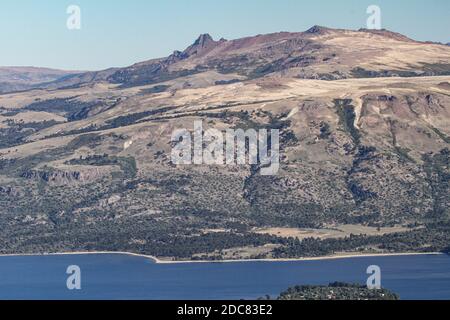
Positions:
{"x": 364, "y": 118}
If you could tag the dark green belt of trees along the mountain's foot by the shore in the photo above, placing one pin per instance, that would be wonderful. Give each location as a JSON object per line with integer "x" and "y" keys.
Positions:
{"x": 434, "y": 238}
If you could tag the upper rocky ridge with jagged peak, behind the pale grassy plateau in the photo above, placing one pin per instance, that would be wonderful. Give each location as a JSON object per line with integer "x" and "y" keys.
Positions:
{"x": 318, "y": 53}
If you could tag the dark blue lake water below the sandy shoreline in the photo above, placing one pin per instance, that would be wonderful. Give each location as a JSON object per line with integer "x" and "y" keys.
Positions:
{"x": 115, "y": 276}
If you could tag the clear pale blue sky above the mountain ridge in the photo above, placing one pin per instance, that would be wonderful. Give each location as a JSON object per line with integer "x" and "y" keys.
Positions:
{"x": 122, "y": 32}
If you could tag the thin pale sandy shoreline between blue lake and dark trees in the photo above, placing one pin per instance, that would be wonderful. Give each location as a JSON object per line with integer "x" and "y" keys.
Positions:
{"x": 160, "y": 261}
